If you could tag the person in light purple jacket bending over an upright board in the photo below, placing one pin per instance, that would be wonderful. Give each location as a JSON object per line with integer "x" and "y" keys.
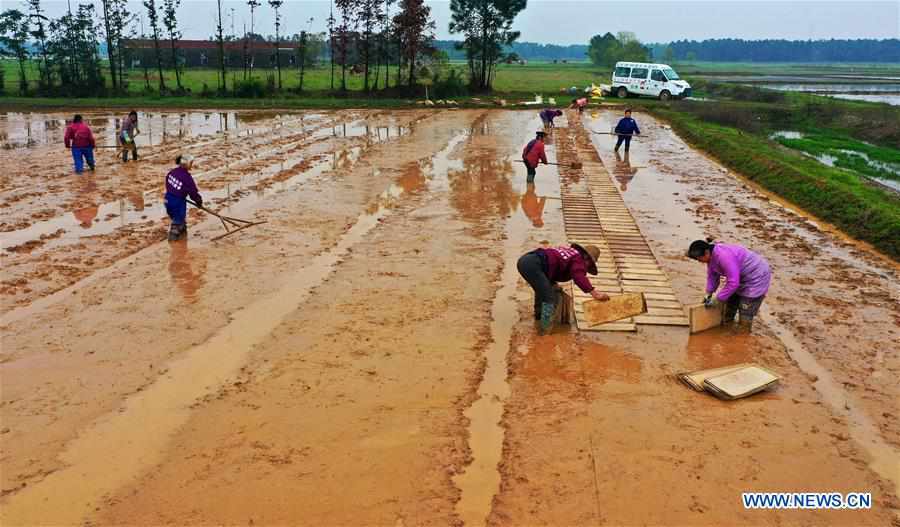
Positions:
{"x": 747, "y": 278}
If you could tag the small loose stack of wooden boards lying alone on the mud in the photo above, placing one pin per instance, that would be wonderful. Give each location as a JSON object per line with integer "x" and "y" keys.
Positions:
{"x": 730, "y": 382}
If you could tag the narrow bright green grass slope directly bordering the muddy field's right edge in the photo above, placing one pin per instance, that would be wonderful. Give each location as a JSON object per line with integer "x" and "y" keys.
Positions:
{"x": 837, "y": 196}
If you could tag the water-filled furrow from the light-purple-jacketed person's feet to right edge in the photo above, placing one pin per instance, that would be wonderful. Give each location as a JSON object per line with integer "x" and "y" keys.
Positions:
{"x": 885, "y": 460}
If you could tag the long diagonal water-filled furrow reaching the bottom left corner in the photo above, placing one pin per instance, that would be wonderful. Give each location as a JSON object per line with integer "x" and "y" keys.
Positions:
{"x": 120, "y": 446}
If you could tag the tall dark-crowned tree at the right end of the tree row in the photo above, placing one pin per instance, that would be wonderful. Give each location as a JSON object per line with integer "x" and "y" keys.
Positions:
{"x": 487, "y": 27}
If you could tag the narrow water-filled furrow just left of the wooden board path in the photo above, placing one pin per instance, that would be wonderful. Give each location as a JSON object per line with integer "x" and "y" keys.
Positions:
{"x": 480, "y": 481}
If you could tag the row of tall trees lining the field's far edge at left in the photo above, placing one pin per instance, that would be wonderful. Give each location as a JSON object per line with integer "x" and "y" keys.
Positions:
{"x": 364, "y": 36}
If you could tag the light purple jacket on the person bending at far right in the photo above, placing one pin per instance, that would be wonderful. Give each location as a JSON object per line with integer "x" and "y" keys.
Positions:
{"x": 746, "y": 273}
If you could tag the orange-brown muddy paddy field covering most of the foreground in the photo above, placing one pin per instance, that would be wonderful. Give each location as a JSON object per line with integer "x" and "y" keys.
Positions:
{"x": 368, "y": 356}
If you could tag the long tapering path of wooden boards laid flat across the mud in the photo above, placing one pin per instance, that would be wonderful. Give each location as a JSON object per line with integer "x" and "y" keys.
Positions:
{"x": 595, "y": 213}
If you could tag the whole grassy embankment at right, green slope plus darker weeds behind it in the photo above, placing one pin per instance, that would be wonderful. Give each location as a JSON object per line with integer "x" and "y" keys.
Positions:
{"x": 737, "y": 132}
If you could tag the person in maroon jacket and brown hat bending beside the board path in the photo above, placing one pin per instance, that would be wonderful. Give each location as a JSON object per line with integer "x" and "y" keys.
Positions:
{"x": 544, "y": 267}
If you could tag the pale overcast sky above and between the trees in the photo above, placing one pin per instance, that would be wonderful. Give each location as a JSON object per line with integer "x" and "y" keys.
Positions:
{"x": 574, "y": 22}
